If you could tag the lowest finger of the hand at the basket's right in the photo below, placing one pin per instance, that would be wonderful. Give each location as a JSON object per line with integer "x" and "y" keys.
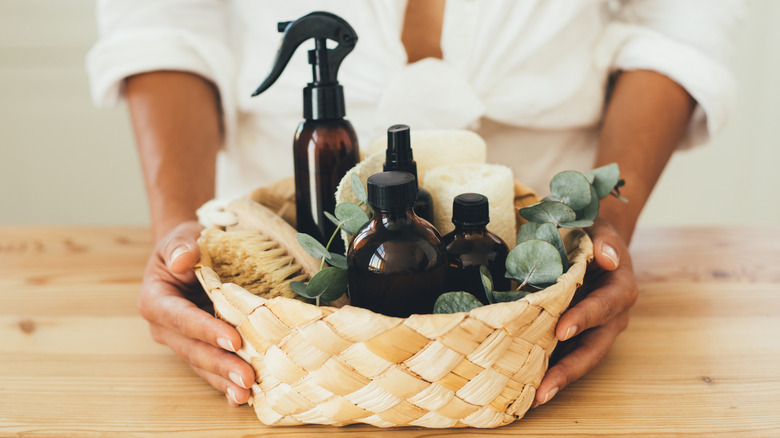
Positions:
{"x": 593, "y": 347}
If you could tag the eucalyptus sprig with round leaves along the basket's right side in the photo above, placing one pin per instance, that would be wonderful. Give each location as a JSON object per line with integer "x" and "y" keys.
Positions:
{"x": 540, "y": 257}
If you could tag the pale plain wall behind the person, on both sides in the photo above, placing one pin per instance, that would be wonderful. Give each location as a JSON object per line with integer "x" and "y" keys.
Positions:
{"x": 64, "y": 162}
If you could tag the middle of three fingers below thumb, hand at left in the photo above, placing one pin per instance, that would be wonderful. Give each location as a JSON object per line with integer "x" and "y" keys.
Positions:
{"x": 206, "y": 357}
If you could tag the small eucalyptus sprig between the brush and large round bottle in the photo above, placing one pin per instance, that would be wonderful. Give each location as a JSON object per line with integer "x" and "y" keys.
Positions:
{"x": 330, "y": 283}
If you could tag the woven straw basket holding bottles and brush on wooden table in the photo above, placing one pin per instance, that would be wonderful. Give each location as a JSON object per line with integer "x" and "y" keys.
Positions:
{"x": 338, "y": 366}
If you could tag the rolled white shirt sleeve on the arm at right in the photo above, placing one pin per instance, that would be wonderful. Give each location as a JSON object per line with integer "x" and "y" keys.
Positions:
{"x": 691, "y": 42}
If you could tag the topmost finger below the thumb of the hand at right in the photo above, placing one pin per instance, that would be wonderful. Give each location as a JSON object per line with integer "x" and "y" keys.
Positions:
{"x": 615, "y": 294}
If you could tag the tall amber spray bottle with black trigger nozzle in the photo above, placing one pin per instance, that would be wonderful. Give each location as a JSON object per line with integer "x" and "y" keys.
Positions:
{"x": 325, "y": 145}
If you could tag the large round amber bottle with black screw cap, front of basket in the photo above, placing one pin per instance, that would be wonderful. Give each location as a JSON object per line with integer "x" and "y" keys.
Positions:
{"x": 397, "y": 263}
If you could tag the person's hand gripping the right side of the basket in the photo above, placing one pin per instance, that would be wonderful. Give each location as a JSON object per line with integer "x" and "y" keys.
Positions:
{"x": 591, "y": 325}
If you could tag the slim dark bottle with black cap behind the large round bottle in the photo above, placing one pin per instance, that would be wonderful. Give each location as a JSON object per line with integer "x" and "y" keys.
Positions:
{"x": 399, "y": 157}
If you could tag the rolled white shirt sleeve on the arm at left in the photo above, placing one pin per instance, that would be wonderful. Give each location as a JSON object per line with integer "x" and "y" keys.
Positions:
{"x": 138, "y": 36}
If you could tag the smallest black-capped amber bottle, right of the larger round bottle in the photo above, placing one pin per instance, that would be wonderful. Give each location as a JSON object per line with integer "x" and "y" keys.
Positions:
{"x": 471, "y": 245}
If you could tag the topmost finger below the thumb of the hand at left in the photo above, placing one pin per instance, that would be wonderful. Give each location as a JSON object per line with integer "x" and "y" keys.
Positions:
{"x": 162, "y": 304}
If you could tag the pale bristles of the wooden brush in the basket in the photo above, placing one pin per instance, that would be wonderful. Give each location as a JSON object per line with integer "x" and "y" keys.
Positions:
{"x": 253, "y": 261}
